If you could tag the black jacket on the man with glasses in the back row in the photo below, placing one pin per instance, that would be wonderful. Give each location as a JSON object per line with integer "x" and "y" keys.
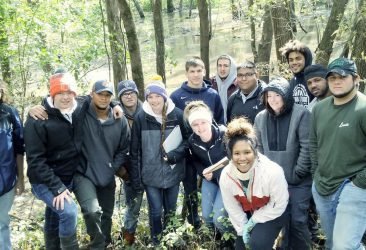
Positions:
{"x": 249, "y": 109}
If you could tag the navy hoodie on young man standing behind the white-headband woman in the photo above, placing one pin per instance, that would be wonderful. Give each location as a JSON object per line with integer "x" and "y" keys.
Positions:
{"x": 185, "y": 94}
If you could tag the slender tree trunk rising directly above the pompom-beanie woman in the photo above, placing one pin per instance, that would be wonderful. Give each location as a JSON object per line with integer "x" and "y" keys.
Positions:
{"x": 159, "y": 39}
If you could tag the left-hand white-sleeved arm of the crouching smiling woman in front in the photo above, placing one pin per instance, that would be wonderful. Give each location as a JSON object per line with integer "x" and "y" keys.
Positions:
{"x": 236, "y": 214}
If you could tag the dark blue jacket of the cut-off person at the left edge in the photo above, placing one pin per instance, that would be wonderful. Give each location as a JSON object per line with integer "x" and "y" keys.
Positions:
{"x": 11, "y": 144}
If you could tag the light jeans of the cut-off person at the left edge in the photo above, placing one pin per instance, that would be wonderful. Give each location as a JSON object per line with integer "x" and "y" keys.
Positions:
{"x": 6, "y": 201}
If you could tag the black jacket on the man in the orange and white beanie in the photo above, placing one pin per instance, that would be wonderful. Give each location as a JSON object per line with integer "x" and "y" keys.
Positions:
{"x": 53, "y": 147}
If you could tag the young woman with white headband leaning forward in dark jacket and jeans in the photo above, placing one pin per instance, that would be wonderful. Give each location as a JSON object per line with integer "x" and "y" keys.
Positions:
{"x": 207, "y": 148}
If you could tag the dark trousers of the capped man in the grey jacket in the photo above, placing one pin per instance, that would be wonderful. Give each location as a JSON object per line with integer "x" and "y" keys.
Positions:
{"x": 97, "y": 204}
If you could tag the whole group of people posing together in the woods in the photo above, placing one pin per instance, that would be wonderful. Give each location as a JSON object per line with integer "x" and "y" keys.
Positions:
{"x": 292, "y": 147}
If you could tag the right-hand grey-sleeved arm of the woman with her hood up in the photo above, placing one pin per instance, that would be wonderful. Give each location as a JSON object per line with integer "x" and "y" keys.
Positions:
{"x": 303, "y": 164}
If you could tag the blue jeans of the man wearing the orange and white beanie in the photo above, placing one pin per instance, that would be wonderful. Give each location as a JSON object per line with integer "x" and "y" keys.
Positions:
{"x": 66, "y": 218}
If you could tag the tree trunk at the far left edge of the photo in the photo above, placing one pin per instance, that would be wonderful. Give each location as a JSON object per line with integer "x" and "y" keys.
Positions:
{"x": 4, "y": 45}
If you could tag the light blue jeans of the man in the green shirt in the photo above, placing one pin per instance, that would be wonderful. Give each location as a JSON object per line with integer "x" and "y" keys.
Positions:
{"x": 342, "y": 216}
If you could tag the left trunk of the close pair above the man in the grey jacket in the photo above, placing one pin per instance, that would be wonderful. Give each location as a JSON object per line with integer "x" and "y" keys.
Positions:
{"x": 116, "y": 42}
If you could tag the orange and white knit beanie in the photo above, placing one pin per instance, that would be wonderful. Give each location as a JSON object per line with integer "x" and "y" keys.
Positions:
{"x": 62, "y": 82}
